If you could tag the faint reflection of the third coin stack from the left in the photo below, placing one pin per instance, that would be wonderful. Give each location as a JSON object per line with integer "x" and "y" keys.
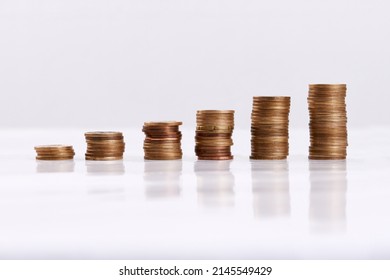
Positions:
{"x": 162, "y": 178}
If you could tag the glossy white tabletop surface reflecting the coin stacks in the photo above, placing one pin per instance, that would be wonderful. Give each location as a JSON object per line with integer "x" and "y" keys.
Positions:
{"x": 240, "y": 209}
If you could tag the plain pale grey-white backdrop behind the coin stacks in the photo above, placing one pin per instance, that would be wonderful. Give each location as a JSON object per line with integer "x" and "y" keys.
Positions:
{"x": 120, "y": 62}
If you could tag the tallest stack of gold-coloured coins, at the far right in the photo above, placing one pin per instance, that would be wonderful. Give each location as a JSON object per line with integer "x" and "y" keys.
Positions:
{"x": 328, "y": 121}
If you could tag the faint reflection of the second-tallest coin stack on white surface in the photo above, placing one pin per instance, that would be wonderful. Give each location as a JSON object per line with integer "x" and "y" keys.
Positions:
{"x": 270, "y": 188}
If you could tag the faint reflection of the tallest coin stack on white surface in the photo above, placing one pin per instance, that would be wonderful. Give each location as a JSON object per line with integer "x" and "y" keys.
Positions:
{"x": 328, "y": 188}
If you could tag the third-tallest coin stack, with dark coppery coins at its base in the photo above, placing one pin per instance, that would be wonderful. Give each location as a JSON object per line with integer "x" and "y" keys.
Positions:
{"x": 213, "y": 137}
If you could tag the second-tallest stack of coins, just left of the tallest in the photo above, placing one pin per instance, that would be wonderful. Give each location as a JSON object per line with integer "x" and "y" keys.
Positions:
{"x": 269, "y": 127}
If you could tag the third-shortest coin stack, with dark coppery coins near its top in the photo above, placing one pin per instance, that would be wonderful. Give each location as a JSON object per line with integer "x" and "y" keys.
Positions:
{"x": 162, "y": 140}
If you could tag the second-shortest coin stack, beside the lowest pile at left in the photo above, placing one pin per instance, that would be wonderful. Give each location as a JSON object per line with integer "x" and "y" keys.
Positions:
{"x": 104, "y": 145}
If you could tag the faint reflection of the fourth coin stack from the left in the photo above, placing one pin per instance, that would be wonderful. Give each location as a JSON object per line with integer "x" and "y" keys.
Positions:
{"x": 215, "y": 183}
